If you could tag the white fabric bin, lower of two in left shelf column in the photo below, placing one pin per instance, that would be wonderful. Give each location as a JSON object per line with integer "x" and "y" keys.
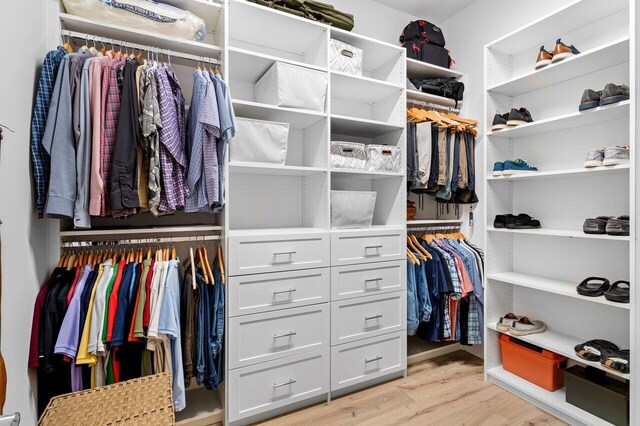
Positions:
{"x": 260, "y": 141}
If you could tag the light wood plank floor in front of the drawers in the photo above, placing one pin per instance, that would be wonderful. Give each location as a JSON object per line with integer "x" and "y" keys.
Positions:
{"x": 448, "y": 390}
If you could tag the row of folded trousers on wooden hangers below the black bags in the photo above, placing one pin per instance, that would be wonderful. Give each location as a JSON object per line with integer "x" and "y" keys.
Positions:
{"x": 441, "y": 156}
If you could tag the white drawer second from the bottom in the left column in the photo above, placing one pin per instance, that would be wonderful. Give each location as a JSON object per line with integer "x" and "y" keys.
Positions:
{"x": 265, "y": 337}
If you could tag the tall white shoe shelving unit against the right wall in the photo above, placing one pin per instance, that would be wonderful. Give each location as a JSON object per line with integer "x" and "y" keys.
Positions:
{"x": 535, "y": 272}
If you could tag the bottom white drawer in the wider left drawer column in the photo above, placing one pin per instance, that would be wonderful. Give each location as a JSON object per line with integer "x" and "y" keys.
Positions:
{"x": 276, "y": 384}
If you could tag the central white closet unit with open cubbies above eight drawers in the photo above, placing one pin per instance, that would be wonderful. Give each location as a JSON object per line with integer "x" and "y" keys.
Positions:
{"x": 312, "y": 311}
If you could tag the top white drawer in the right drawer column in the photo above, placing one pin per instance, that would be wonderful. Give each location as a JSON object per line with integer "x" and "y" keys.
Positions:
{"x": 350, "y": 247}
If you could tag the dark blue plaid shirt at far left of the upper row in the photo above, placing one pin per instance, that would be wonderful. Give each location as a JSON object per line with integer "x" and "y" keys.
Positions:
{"x": 39, "y": 157}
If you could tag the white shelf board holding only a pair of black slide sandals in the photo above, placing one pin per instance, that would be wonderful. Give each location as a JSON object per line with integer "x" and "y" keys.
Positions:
{"x": 550, "y": 285}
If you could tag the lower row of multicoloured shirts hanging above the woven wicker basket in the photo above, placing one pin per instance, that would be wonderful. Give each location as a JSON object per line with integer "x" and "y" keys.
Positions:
{"x": 105, "y": 318}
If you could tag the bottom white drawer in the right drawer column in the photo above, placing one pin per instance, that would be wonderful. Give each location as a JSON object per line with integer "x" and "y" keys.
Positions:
{"x": 368, "y": 359}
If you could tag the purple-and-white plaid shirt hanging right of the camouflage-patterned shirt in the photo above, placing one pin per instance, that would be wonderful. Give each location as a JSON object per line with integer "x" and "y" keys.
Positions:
{"x": 172, "y": 136}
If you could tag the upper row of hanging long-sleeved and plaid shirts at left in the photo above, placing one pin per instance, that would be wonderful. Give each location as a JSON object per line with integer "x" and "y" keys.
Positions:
{"x": 109, "y": 137}
